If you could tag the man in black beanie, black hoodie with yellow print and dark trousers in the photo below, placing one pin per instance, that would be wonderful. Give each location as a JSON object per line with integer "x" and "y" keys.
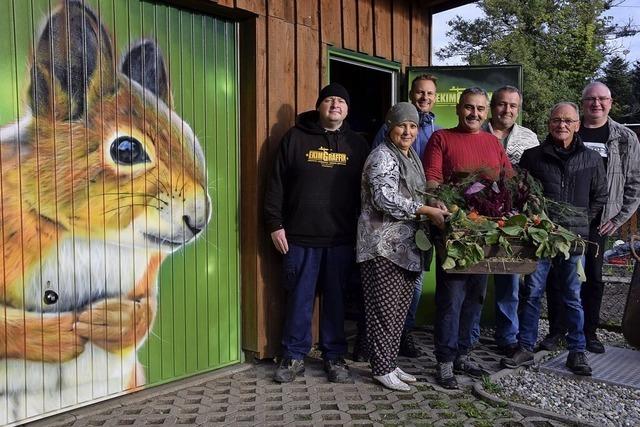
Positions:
{"x": 311, "y": 210}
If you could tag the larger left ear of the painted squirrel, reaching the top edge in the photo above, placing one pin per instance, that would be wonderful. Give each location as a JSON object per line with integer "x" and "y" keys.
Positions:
{"x": 73, "y": 66}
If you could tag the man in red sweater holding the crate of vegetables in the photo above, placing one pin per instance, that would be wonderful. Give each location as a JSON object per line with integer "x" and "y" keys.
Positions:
{"x": 451, "y": 154}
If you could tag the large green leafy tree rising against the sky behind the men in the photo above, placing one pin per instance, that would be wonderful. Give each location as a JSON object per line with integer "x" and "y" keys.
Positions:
{"x": 560, "y": 43}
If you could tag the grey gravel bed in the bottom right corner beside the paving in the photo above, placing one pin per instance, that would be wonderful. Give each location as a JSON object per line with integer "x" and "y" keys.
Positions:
{"x": 589, "y": 401}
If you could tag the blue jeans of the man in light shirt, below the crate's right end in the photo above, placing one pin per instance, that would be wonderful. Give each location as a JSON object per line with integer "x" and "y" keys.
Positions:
{"x": 506, "y": 288}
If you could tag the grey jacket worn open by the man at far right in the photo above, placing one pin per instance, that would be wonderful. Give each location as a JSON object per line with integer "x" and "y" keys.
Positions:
{"x": 623, "y": 174}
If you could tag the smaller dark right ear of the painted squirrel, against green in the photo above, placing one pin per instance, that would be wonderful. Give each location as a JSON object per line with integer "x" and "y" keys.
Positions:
{"x": 145, "y": 65}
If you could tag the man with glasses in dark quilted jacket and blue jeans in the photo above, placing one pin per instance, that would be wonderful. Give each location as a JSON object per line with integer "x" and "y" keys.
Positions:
{"x": 570, "y": 174}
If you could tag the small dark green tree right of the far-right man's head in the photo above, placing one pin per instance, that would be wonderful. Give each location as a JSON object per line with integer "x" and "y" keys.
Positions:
{"x": 618, "y": 78}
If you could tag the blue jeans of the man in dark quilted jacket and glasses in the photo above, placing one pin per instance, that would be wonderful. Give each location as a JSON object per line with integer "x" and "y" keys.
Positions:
{"x": 569, "y": 285}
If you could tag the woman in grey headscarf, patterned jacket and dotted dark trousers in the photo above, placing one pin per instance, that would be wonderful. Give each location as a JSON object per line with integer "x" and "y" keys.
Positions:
{"x": 393, "y": 194}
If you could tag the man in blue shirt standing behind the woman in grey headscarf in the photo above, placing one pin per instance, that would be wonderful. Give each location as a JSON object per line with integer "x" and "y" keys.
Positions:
{"x": 423, "y": 96}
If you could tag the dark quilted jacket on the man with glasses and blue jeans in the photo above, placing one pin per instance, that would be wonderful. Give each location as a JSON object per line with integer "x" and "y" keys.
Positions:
{"x": 575, "y": 176}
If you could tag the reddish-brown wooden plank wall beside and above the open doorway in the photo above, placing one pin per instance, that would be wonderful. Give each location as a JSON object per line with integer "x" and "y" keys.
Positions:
{"x": 283, "y": 64}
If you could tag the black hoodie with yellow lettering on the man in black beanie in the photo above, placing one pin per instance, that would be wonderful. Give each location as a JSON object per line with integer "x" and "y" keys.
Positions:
{"x": 314, "y": 188}
